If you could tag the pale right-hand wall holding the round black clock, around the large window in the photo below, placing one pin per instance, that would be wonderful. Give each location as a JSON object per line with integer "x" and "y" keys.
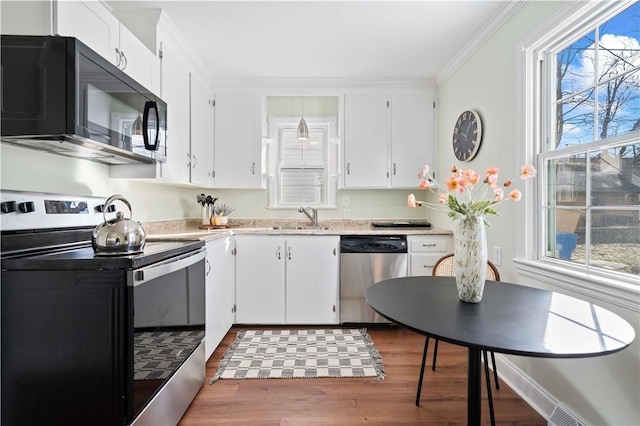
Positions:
{"x": 603, "y": 390}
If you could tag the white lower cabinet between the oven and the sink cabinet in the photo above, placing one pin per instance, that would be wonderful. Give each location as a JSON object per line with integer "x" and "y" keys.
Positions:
{"x": 220, "y": 291}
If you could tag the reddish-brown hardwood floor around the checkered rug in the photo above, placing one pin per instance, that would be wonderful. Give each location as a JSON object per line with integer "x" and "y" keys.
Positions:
{"x": 347, "y": 401}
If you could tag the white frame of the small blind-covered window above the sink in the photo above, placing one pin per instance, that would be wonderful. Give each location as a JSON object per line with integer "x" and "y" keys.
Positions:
{"x": 327, "y": 125}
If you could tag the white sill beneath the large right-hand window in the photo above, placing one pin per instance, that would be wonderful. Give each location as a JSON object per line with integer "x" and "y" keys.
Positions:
{"x": 605, "y": 288}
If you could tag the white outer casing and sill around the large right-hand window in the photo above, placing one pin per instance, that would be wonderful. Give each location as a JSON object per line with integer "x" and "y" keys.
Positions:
{"x": 619, "y": 289}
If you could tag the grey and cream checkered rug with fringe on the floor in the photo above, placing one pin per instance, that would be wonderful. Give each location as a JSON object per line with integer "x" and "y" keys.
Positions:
{"x": 282, "y": 354}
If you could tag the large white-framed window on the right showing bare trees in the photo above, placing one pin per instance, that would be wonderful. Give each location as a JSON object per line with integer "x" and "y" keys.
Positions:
{"x": 584, "y": 77}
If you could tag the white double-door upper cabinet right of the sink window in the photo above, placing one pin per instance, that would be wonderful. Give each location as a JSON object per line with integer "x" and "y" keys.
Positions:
{"x": 387, "y": 138}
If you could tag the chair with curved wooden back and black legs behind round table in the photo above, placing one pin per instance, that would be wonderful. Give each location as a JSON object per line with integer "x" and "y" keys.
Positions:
{"x": 445, "y": 267}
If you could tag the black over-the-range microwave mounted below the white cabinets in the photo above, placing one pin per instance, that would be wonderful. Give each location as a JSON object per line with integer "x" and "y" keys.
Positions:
{"x": 60, "y": 96}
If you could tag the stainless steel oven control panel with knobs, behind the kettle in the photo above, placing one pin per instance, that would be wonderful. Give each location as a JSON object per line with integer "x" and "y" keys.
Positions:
{"x": 37, "y": 210}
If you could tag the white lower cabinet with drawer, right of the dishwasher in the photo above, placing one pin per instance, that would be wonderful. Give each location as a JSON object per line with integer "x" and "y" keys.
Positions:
{"x": 425, "y": 250}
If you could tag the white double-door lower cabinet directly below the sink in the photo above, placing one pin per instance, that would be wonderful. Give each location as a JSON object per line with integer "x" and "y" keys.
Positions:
{"x": 287, "y": 279}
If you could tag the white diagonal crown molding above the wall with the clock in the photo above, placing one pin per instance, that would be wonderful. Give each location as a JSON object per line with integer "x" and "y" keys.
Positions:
{"x": 492, "y": 27}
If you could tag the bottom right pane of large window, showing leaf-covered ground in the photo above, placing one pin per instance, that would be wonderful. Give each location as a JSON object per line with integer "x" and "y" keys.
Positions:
{"x": 615, "y": 240}
